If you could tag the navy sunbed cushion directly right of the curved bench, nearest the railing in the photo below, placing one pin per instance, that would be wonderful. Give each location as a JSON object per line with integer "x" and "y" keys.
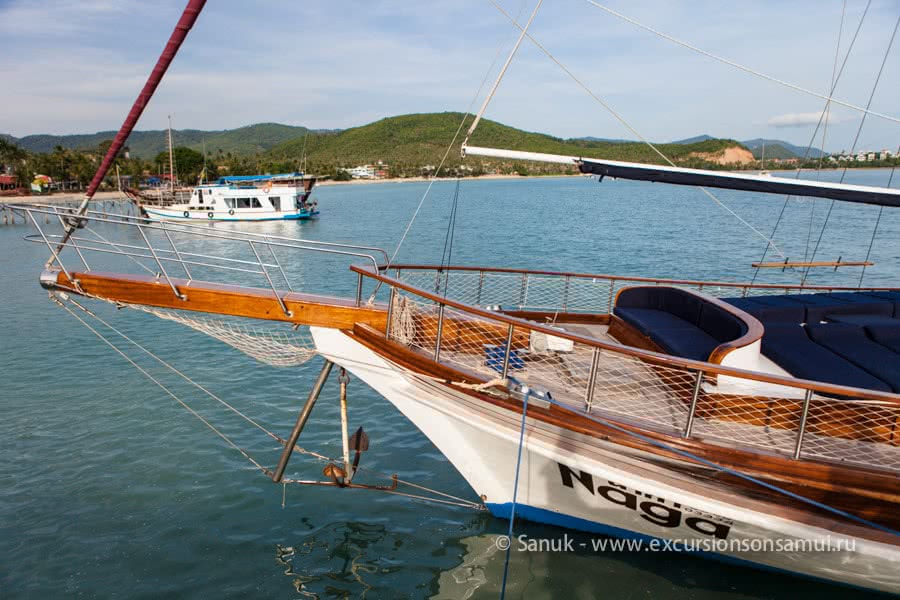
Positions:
{"x": 790, "y": 347}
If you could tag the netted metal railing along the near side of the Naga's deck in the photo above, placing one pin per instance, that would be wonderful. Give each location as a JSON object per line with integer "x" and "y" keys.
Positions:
{"x": 794, "y": 418}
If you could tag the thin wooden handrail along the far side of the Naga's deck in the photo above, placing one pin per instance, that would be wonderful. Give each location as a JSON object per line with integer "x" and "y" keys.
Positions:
{"x": 732, "y": 284}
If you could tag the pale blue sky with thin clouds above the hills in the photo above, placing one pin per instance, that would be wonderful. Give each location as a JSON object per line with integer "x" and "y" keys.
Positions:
{"x": 75, "y": 67}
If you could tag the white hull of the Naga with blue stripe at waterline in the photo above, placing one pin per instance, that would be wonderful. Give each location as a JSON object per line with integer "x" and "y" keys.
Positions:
{"x": 580, "y": 482}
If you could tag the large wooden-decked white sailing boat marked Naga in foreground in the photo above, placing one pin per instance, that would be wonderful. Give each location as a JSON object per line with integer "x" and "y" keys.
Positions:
{"x": 757, "y": 423}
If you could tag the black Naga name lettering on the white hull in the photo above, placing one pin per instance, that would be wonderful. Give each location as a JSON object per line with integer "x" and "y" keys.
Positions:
{"x": 652, "y": 508}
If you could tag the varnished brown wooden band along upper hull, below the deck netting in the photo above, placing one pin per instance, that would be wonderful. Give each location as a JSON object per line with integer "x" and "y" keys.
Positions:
{"x": 869, "y": 493}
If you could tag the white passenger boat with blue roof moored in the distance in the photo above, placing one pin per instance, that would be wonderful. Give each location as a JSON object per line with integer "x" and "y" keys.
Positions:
{"x": 244, "y": 198}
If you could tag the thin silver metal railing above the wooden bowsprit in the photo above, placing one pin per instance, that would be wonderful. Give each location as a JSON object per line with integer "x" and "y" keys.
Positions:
{"x": 168, "y": 253}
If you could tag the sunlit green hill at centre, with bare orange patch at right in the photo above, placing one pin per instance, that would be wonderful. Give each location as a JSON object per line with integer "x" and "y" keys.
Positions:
{"x": 415, "y": 140}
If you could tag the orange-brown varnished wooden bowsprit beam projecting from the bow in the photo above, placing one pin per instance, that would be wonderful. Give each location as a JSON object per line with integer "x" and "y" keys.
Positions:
{"x": 255, "y": 303}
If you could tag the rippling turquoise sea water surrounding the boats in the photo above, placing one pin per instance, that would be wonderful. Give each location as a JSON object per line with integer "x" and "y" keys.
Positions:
{"x": 109, "y": 488}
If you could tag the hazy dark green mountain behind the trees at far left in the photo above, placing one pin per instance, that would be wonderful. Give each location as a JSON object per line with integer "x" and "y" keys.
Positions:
{"x": 252, "y": 139}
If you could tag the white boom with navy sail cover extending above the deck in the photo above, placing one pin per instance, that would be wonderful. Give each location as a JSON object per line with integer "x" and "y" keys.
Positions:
{"x": 700, "y": 177}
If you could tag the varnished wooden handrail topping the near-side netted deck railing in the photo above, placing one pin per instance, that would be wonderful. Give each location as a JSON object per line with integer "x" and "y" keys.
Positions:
{"x": 644, "y": 355}
